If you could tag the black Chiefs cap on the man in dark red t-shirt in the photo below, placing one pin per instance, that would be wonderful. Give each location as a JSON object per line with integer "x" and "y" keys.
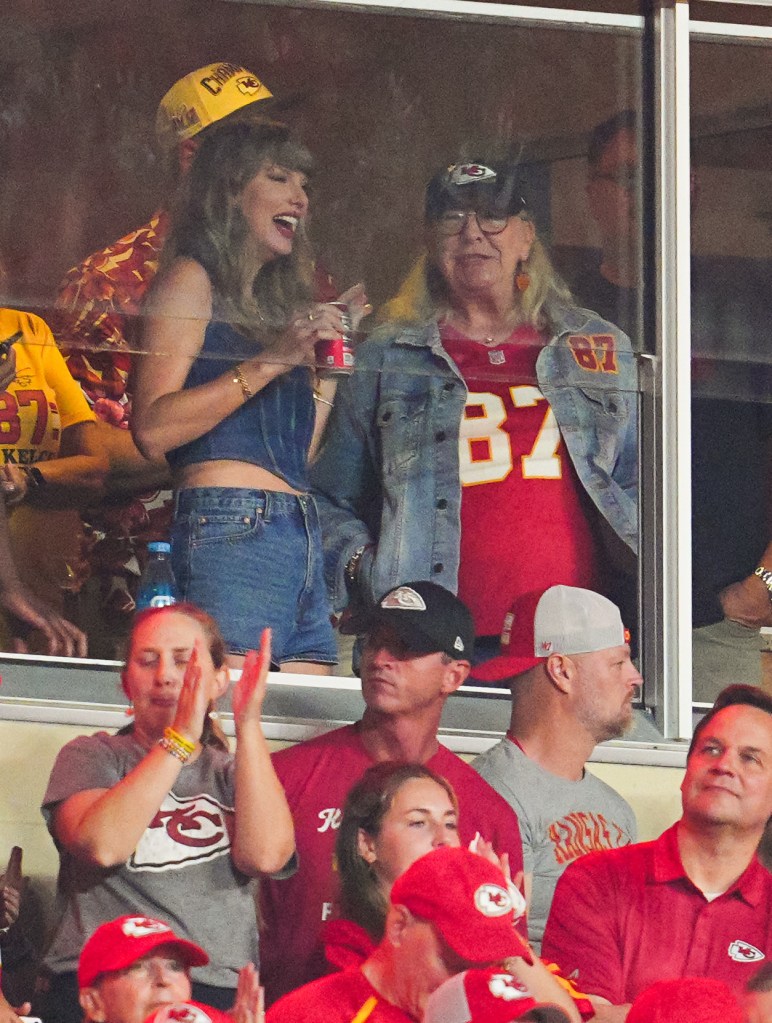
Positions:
{"x": 428, "y": 618}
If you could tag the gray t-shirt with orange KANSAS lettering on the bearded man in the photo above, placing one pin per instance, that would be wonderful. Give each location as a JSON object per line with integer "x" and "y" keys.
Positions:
{"x": 561, "y": 821}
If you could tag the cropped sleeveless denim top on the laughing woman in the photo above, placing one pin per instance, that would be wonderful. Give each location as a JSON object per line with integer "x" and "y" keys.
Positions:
{"x": 273, "y": 430}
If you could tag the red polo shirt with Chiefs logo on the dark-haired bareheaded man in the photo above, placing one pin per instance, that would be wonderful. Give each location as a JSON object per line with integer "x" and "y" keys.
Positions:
{"x": 625, "y": 919}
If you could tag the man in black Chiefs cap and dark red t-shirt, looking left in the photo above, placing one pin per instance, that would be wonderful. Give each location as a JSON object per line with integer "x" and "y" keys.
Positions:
{"x": 418, "y": 647}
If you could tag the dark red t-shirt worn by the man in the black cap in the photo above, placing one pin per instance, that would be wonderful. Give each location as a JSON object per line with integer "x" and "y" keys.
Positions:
{"x": 317, "y": 777}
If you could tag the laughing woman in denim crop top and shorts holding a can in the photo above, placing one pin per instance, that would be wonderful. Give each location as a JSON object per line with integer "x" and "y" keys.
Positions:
{"x": 226, "y": 393}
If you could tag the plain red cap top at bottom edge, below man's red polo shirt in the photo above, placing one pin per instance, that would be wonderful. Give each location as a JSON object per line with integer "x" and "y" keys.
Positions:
{"x": 689, "y": 1000}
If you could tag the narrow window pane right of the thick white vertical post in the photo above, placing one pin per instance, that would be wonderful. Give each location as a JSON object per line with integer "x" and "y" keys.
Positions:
{"x": 732, "y": 367}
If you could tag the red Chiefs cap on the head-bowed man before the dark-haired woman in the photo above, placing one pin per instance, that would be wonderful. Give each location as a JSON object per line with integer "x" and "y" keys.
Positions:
{"x": 466, "y": 898}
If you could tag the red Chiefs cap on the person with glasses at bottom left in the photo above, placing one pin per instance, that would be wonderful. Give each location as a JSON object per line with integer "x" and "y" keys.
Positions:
{"x": 121, "y": 943}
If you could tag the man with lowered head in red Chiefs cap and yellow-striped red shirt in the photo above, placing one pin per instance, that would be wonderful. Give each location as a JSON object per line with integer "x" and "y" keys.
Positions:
{"x": 450, "y": 911}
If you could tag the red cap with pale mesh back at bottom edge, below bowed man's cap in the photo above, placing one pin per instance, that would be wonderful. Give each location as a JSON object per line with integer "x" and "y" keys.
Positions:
{"x": 487, "y": 997}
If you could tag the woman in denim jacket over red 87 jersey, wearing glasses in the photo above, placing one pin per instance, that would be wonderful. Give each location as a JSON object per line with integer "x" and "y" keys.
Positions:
{"x": 488, "y": 438}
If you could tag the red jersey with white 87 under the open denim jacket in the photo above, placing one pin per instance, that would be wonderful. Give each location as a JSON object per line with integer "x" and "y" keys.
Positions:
{"x": 523, "y": 522}
